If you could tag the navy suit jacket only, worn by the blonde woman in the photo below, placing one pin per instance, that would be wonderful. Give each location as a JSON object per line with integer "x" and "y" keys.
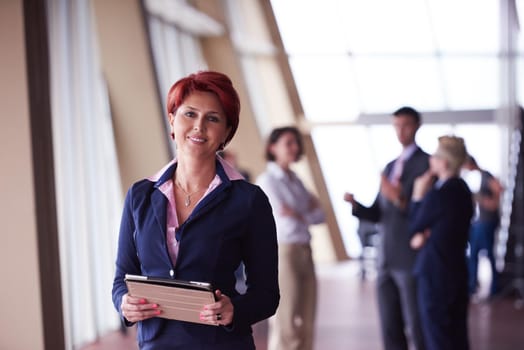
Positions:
{"x": 447, "y": 211}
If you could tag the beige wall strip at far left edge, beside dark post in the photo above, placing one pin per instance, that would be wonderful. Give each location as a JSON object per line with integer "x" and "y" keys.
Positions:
{"x": 20, "y": 316}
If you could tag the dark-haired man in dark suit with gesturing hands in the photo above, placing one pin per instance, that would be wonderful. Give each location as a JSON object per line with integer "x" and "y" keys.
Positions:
{"x": 395, "y": 283}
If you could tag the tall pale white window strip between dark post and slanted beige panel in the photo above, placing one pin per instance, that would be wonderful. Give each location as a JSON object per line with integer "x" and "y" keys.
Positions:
{"x": 88, "y": 186}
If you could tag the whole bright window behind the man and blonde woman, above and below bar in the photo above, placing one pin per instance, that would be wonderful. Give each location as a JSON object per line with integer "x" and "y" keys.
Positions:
{"x": 356, "y": 58}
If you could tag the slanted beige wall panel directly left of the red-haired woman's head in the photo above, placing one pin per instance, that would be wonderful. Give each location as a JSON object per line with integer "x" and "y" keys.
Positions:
{"x": 138, "y": 119}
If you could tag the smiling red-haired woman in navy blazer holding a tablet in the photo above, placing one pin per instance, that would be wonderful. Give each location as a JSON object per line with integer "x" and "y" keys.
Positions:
{"x": 197, "y": 220}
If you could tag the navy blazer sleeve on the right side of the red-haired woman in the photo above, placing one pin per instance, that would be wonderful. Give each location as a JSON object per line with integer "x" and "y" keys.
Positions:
{"x": 260, "y": 254}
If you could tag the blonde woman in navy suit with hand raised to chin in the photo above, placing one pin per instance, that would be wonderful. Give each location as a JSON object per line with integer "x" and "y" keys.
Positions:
{"x": 440, "y": 217}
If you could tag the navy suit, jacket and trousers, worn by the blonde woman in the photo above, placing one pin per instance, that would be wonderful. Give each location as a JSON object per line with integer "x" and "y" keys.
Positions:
{"x": 440, "y": 267}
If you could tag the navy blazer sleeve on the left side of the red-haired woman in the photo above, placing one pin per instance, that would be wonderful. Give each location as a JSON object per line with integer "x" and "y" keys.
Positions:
{"x": 126, "y": 260}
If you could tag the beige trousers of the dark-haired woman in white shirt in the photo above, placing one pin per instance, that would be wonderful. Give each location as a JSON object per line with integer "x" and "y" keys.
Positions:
{"x": 292, "y": 326}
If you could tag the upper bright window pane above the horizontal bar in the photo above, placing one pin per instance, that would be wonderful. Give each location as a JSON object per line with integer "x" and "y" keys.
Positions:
{"x": 379, "y": 54}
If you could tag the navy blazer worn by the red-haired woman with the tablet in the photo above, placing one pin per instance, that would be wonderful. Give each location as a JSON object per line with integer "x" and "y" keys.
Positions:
{"x": 232, "y": 224}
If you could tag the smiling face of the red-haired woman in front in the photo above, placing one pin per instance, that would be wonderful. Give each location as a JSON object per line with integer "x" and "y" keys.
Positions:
{"x": 199, "y": 124}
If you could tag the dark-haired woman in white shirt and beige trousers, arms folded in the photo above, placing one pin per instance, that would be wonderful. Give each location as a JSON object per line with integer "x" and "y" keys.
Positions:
{"x": 294, "y": 209}
